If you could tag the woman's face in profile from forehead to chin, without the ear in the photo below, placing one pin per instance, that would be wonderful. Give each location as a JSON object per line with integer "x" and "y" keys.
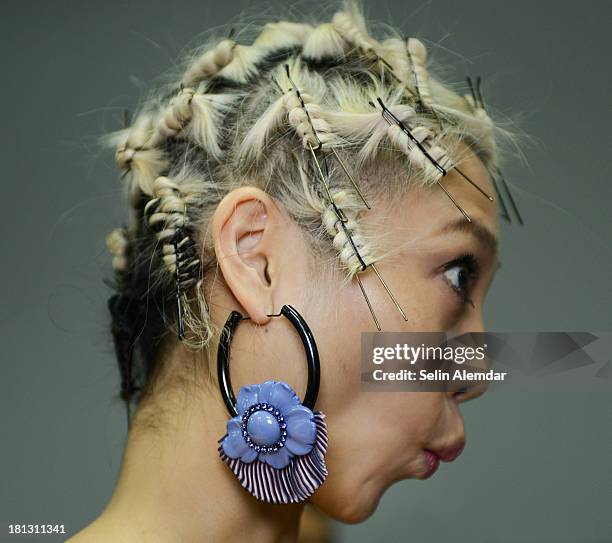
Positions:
{"x": 440, "y": 275}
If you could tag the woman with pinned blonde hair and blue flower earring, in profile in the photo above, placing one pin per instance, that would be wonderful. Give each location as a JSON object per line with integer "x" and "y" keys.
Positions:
{"x": 317, "y": 168}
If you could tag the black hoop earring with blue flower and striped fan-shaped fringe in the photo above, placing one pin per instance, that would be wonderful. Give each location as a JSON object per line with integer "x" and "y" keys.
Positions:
{"x": 275, "y": 445}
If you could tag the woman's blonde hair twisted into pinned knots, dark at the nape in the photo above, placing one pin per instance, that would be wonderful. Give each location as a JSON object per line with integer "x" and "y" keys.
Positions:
{"x": 259, "y": 112}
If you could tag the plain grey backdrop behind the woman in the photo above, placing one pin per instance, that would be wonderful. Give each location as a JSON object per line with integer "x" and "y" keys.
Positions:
{"x": 537, "y": 467}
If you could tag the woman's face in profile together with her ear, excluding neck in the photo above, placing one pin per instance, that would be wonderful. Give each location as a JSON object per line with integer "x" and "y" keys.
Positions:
{"x": 439, "y": 272}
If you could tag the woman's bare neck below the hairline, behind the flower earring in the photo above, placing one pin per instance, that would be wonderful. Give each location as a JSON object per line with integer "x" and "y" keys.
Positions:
{"x": 174, "y": 487}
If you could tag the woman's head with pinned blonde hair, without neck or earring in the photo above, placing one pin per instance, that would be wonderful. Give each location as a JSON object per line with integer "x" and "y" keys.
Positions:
{"x": 322, "y": 168}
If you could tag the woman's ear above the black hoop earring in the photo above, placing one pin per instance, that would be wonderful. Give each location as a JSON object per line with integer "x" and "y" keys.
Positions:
{"x": 247, "y": 231}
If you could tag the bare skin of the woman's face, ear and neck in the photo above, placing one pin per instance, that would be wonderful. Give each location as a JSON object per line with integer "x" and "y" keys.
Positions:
{"x": 172, "y": 485}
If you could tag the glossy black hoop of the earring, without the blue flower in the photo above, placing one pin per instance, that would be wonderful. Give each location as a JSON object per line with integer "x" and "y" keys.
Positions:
{"x": 310, "y": 348}
